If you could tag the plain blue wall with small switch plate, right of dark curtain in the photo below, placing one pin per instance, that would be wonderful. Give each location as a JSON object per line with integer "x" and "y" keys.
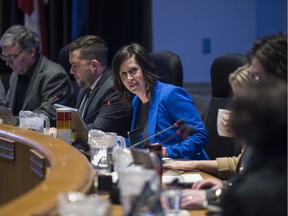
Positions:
{"x": 186, "y": 26}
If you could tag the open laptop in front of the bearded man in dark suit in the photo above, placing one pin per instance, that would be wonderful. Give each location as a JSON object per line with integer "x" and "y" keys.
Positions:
{"x": 78, "y": 126}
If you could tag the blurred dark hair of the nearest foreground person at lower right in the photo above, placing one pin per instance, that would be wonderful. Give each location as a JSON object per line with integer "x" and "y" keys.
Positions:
{"x": 259, "y": 115}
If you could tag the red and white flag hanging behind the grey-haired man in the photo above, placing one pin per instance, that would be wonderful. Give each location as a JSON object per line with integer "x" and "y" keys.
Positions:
{"x": 35, "y": 19}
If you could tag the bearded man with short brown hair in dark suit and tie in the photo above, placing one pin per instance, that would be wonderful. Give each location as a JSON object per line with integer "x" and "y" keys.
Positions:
{"x": 99, "y": 104}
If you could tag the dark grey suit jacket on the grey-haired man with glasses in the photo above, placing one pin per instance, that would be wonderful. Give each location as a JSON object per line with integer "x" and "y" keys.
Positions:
{"x": 48, "y": 79}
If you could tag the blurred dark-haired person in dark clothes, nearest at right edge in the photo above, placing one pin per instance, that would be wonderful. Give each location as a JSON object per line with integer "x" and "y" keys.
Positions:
{"x": 260, "y": 118}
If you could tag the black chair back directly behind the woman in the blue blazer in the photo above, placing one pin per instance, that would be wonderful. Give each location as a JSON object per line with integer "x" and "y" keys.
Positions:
{"x": 169, "y": 67}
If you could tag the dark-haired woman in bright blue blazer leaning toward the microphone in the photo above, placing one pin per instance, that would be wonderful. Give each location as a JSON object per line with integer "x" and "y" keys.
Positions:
{"x": 156, "y": 105}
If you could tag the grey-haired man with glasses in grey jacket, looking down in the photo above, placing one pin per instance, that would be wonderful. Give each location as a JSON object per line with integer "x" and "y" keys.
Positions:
{"x": 35, "y": 79}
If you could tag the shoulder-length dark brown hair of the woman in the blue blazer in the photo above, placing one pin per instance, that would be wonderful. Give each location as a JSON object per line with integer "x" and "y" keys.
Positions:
{"x": 142, "y": 57}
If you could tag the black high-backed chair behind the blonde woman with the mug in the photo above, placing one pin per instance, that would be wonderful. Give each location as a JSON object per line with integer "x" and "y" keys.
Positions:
{"x": 220, "y": 70}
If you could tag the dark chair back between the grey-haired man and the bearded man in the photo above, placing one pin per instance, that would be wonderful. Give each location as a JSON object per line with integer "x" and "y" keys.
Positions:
{"x": 63, "y": 59}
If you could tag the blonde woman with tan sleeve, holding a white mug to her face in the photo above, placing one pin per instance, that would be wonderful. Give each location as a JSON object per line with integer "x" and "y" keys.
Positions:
{"x": 223, "y": 167}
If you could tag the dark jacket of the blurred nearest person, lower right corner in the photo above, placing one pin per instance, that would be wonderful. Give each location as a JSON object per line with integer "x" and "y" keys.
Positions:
{"x": 261, "y": 189}
